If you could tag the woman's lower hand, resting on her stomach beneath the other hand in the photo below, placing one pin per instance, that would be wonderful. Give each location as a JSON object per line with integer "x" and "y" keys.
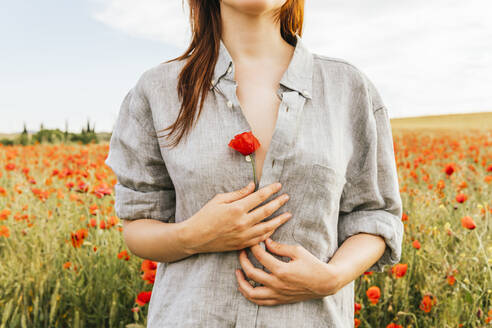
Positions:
{"x": 304, "y": 277}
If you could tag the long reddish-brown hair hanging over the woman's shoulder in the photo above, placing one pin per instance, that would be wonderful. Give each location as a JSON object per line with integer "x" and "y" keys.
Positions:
{"x": 202, "y": 53}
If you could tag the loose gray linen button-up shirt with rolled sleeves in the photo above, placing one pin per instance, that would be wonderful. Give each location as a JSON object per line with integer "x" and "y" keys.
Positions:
{"x": 332, "y": 150}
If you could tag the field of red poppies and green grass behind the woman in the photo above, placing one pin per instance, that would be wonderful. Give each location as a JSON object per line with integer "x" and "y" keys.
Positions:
{"x": 64, "y": 262}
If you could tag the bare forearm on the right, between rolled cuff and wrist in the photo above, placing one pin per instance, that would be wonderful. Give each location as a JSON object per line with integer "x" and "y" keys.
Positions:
{"x": 356, "y": 254}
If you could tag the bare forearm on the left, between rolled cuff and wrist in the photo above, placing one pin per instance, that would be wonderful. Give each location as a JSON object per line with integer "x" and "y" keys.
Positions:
{"x": 155, "y": 240}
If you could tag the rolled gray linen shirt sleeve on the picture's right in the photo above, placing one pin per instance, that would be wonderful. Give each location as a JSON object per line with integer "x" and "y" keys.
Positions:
{"x": 370, "y": 201}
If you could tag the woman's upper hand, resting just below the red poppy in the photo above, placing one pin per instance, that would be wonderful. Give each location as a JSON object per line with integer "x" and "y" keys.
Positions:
{"x": 232, "y": 221}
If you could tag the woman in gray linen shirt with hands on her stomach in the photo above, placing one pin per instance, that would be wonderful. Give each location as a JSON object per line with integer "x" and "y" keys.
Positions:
{"x": 229, "y": 254}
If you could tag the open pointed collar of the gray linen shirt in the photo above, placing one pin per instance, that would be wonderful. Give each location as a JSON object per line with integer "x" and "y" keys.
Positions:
{"x": 298, "y": 76}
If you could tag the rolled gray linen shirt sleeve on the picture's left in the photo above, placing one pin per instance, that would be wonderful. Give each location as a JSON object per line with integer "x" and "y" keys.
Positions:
{"x": 143, "y": 189}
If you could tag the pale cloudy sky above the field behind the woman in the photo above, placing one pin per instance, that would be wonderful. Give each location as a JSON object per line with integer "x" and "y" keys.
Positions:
{"x": 75, "y": 60}
